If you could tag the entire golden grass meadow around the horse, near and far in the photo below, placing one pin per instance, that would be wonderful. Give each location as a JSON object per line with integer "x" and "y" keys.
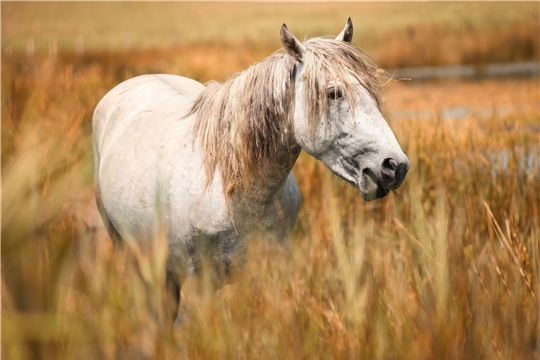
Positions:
{"x": 449, "y": 271}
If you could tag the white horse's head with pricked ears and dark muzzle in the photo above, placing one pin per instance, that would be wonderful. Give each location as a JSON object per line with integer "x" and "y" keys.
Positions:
{"x": 337, "y": 117}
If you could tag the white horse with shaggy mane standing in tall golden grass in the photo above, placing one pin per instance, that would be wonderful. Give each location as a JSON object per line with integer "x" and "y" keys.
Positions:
{"x": 212, "y": 164}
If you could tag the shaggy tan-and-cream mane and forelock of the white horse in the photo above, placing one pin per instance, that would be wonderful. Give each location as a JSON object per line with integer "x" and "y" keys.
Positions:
{"x": 244, "y": 124}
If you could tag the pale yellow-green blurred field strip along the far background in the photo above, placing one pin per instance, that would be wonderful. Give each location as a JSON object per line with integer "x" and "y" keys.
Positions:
{"x": 135, "y": 25}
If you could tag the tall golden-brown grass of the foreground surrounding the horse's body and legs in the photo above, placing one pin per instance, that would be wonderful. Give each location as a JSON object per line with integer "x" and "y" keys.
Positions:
{"x": 452, "y": 272}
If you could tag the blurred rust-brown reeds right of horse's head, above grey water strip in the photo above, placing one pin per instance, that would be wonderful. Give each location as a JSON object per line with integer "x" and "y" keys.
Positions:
{"x": 435, "y": 45}
